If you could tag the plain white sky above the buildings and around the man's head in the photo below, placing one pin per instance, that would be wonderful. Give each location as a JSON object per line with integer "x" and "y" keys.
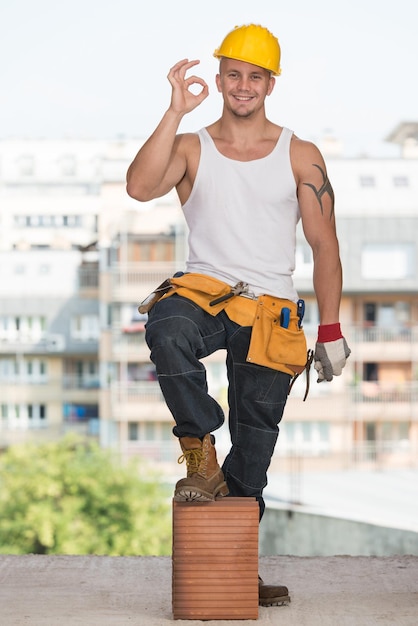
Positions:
{"x": 97, "y": 68}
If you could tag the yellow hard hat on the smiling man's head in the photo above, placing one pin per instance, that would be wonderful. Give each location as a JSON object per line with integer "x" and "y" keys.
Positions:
{"x": 253, "y": 44}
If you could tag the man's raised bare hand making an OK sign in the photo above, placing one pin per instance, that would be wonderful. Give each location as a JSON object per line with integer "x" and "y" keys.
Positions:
{"x": 182, "y": 99}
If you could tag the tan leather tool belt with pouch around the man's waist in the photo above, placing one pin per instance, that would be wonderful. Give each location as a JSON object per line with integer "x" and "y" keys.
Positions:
{"x": 276, "y": 342}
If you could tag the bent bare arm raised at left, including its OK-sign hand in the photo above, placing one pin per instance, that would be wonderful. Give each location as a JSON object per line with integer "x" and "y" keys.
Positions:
{"x": 161, "y": 162}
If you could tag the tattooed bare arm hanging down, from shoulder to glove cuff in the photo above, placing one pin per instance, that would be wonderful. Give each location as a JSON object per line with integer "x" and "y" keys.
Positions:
{"x": 316, "y": 201}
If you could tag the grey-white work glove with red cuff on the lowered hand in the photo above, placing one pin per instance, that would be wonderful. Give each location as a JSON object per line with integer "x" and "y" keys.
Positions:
{"x": 331, "y": 352}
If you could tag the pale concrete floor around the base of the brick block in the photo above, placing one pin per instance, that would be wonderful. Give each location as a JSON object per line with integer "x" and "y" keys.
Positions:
{"x": 91, "y": 590}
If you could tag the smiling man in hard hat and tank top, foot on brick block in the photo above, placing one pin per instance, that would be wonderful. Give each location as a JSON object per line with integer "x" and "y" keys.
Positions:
{"x": 243, "y": 183}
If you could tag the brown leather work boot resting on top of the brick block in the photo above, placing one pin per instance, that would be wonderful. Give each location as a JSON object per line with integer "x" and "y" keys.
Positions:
{"x": 205, "y": 480}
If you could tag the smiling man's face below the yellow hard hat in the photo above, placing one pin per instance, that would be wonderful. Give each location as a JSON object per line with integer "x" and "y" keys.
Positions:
{"x": 244, "y": 86}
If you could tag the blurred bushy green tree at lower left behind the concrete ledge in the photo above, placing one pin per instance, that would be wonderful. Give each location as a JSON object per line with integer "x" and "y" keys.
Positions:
{"x": 72, "y": 497}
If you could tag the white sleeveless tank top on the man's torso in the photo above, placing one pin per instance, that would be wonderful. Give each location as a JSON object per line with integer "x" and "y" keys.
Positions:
{"x": 242, "y": 218}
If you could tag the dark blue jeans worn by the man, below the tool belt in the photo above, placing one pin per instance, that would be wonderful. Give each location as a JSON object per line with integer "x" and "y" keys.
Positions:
{"x": 179, "y": 333}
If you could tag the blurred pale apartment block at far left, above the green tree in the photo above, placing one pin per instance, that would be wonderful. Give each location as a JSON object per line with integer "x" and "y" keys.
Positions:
{"x": 50, "y": 203}
